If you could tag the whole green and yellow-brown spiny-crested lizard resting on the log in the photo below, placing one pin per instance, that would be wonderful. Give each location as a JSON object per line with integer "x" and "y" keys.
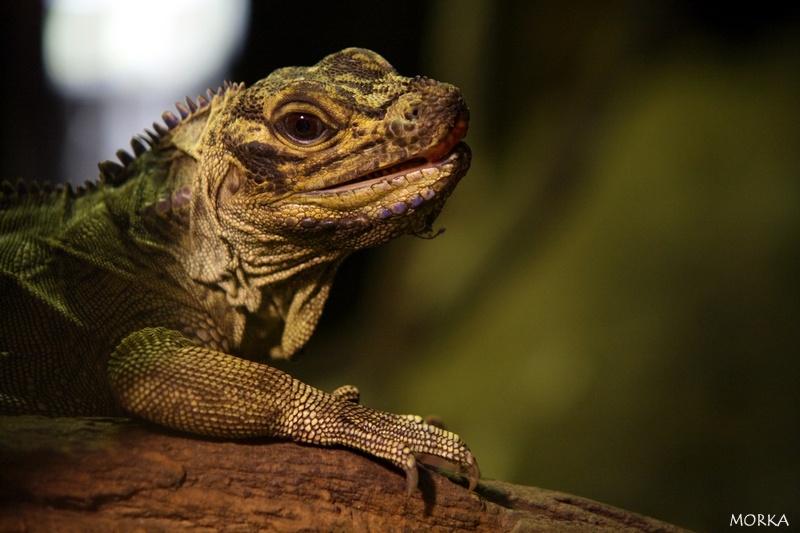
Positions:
{"x": 159, "y": 290}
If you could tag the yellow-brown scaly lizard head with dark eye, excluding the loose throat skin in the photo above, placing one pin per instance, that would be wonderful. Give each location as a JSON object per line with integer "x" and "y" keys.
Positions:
{"x": 344, "y": 154}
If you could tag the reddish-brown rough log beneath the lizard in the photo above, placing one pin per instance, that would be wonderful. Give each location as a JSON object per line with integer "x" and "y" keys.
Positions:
{"x": 104, "y": 474}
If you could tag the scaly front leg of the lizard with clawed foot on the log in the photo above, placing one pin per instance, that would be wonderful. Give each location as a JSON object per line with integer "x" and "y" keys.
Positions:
{"x": 160, "y": 375}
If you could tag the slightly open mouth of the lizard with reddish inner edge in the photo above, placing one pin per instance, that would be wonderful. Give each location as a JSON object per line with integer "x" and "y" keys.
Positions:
{"x": 431, "y": 158}
